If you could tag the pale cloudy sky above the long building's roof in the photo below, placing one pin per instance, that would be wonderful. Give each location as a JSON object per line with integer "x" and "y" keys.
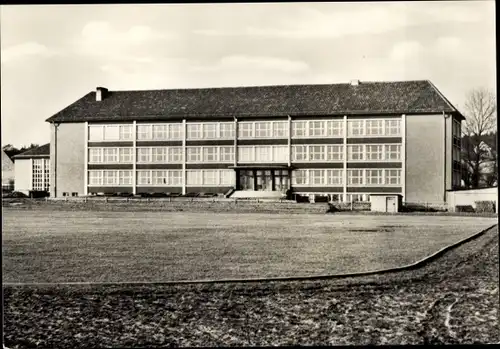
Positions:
{"x": 53, "y": 55}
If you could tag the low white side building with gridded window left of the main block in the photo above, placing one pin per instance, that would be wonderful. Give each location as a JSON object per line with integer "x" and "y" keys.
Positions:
{"x": 32, "y": 171}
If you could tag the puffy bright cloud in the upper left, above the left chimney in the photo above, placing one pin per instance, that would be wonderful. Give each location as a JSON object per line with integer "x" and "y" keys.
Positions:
{"x": 102, "y": 40}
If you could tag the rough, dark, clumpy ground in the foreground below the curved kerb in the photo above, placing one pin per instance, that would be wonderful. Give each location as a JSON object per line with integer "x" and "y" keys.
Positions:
{"x": 453, "y": 300}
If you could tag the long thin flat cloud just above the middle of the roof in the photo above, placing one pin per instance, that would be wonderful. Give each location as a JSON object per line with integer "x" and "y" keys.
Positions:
{"x": 240, "y": 62}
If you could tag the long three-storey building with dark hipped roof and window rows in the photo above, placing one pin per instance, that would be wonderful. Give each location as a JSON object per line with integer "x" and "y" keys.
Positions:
{"x": 346, "y": 141}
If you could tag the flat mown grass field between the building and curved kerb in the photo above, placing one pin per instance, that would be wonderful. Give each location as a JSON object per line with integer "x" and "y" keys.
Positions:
{"x": 58, "y": 246}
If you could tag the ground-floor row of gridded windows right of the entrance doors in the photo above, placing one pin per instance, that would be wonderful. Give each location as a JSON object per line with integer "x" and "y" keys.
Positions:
{"x": 355, "y": 177}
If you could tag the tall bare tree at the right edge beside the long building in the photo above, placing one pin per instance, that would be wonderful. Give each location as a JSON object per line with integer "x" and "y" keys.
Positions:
{"x": 481, "y": 120}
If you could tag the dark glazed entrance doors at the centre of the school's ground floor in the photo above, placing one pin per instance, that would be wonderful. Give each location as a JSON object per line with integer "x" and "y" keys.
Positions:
{"x": 263, "y": 180}
